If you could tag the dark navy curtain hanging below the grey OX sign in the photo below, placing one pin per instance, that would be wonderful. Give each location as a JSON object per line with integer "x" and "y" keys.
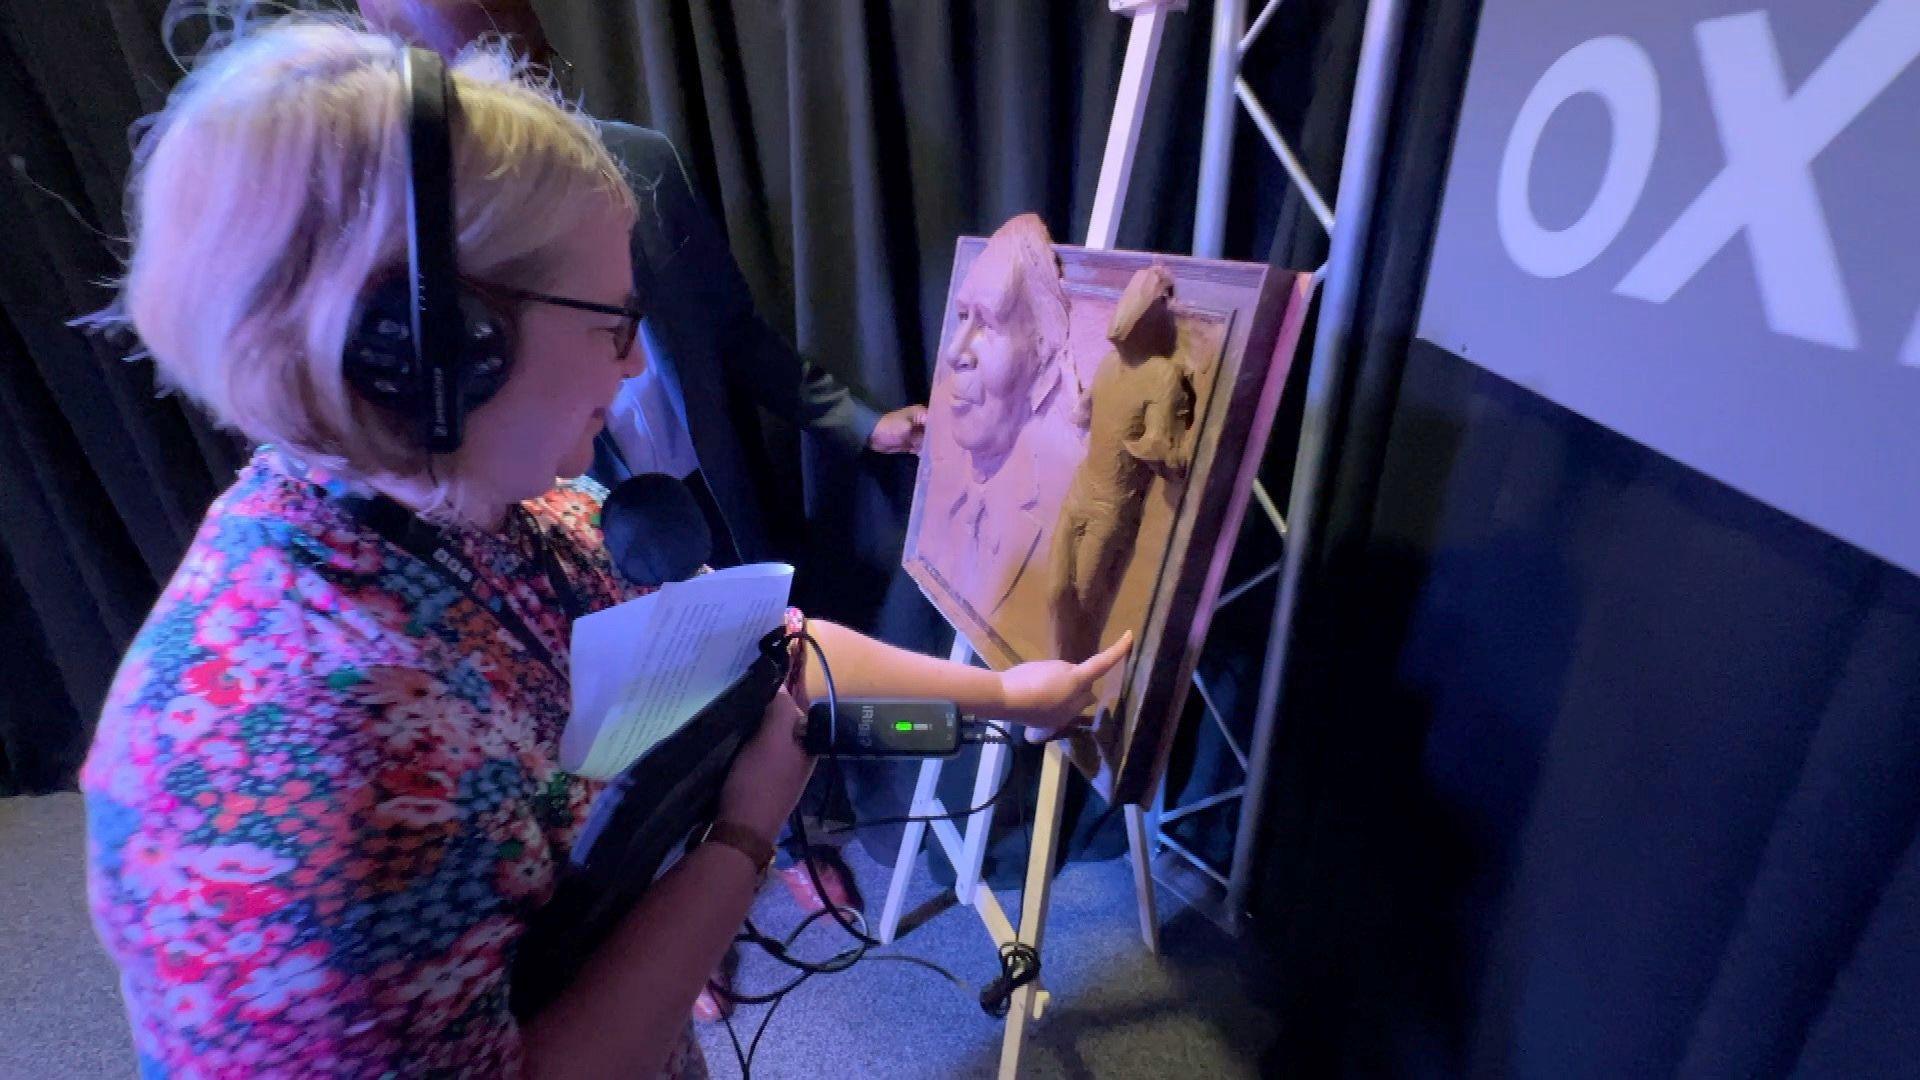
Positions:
{"x": 1591, "y": 766}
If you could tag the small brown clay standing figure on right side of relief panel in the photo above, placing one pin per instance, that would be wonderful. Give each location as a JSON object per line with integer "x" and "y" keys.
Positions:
{"x": 1140, "y": 418}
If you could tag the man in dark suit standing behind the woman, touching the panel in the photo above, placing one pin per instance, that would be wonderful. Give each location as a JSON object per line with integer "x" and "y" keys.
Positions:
{"x": 706, "y": 345}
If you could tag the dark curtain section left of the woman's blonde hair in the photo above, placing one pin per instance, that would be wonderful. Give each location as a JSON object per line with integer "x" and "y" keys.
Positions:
{"x": 101, "y": 481}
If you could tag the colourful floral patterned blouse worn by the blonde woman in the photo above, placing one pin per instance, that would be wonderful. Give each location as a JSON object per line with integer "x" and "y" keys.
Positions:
{"x": 324, "y": 797}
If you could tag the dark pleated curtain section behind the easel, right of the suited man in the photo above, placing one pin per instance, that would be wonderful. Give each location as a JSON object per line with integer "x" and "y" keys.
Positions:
{"x": 848, "y": 145}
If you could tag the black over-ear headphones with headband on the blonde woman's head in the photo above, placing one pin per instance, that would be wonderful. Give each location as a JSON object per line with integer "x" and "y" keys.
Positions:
{"x": 427, "y": 345}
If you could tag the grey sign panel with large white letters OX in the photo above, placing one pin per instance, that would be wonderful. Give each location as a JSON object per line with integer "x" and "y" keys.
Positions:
{"x": 1700, "y": 226}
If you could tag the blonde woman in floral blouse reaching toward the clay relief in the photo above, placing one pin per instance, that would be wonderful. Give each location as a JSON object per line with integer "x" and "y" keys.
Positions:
{"x": 324, "y": 797}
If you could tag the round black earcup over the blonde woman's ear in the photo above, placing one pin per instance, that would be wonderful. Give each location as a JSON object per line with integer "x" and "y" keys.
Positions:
{"x": 383, "y": 366}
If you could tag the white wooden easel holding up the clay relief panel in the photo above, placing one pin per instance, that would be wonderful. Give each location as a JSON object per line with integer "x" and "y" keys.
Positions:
{"x": 971, "y": 848}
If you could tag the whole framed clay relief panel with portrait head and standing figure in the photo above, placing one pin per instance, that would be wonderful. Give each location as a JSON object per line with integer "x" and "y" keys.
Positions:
{"x": 1086, "y": 456}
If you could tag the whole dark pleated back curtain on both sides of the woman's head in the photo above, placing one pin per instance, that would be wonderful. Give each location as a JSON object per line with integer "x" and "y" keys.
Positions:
{"x": 844, "y": 145}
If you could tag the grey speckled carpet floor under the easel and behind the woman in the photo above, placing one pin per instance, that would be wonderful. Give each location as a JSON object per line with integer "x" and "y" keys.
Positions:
{"x": 1118, "y": 1014}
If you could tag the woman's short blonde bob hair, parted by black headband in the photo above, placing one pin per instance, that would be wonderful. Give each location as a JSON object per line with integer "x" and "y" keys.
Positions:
{"x": 272, "y": 193}
